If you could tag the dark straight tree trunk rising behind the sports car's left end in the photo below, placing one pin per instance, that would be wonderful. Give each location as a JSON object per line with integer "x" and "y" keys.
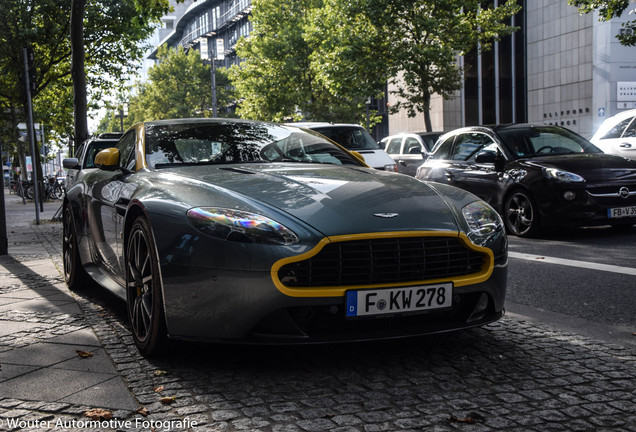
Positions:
{"x": 77, "y": 71}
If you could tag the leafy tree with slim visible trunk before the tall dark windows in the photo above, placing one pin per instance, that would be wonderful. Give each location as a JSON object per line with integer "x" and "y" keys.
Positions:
{"x": 426, "y": 37}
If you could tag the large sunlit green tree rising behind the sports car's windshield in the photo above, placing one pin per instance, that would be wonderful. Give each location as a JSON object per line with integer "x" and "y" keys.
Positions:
{"x": 291, "y": 68}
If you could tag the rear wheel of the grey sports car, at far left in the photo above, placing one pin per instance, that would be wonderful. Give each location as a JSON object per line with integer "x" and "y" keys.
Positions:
{"x": 74, "y": 274}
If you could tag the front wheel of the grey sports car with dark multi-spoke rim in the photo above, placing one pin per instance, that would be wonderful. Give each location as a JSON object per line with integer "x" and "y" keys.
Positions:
{"x": 143, "y": 290}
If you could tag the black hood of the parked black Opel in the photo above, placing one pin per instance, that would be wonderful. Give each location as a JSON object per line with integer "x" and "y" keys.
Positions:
{"x": 592, "y": 167}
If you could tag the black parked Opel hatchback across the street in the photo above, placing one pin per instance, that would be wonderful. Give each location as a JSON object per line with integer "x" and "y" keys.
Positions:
{"x": 536, "y": 176}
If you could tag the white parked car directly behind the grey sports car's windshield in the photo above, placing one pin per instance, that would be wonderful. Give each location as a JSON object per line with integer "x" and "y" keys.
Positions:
{"x": 354, "y": 138}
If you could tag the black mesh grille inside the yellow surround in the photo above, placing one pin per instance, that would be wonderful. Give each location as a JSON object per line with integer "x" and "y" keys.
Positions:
{"x": 386, "y": 260}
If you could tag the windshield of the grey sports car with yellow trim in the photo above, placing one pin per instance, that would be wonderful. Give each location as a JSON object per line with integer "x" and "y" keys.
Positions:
{"x": 214, "y": 143}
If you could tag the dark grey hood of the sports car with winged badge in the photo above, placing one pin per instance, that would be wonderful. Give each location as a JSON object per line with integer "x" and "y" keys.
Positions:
{"x": 334, "y": 200}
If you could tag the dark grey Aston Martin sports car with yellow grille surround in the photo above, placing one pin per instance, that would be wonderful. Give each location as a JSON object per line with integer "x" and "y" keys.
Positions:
{"x": 250, "y": 232}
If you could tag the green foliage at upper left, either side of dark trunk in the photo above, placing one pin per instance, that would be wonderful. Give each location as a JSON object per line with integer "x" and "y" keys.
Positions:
{"x": 112, "y": 31}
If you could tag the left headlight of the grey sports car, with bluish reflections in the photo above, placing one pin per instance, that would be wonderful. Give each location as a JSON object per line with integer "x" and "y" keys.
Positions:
{"x": 240, "y": 226}
